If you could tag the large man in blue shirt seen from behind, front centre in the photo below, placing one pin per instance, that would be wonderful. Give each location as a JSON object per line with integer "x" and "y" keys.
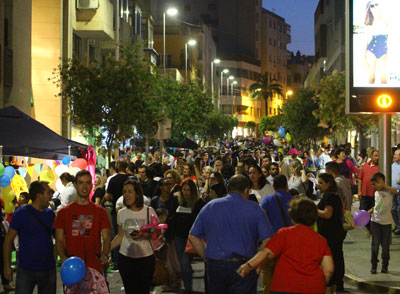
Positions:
{"x": 233, "y": 227}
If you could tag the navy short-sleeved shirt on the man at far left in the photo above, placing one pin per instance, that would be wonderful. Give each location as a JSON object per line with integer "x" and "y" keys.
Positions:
{"x": 35, "y": 244}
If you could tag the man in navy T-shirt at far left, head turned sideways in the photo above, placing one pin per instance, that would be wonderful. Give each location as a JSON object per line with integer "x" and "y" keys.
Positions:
{"x": 33, "y": 225}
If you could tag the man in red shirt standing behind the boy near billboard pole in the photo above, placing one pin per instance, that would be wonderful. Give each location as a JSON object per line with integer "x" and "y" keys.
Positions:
{"x": 365, "y": 189}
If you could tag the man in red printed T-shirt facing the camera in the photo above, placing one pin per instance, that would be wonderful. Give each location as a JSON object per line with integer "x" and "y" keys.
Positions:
{"x": 81, "y": 225}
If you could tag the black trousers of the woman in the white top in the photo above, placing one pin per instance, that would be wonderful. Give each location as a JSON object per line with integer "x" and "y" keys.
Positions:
{"x": 136, "y": 273}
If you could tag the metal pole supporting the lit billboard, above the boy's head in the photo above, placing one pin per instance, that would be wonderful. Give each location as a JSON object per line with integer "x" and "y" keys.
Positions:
{"x": 385, "y": 147}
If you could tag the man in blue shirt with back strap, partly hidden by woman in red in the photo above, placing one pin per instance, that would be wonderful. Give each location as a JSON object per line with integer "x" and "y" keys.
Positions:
{"x": 274, "y": 213}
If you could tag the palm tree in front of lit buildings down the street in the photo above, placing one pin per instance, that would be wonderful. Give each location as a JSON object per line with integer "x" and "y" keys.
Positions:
{"x": 265, "y": 88}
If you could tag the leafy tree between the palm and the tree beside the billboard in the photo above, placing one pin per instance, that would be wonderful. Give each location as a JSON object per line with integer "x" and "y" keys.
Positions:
{"x": 297, "y": 116}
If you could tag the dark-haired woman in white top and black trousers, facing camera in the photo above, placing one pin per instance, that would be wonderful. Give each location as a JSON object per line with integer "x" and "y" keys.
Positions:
{"x": 136, "y": 257}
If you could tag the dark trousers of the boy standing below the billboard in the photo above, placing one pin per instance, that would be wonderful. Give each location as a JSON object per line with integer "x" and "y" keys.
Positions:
{"x": 380, "y": 236}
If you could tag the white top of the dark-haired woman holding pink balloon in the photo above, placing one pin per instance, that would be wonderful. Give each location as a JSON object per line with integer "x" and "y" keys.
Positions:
{"x": 131, "y": 221}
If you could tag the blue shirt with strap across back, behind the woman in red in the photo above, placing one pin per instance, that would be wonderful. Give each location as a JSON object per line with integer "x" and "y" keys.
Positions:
{"x": 273, "y": 211}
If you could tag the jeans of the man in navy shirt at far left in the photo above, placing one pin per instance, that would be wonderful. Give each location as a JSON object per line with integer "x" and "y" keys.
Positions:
{"x": 28, "y": 279}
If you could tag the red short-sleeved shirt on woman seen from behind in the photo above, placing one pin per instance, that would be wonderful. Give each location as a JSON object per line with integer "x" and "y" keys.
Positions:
{"x": 299, "y": 252}
